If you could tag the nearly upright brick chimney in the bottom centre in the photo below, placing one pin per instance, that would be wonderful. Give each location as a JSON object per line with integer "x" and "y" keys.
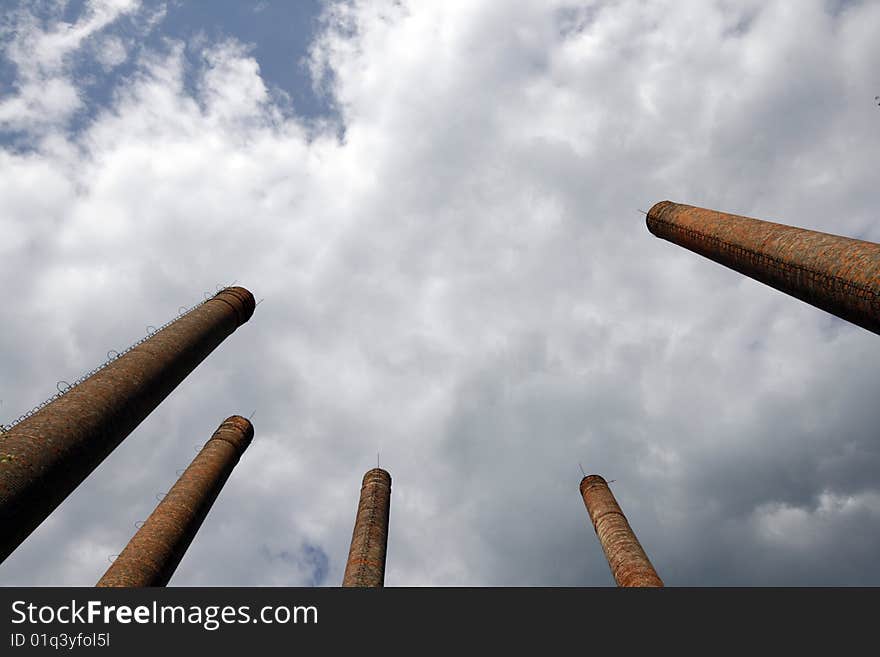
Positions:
{"x": 366, "y": 558}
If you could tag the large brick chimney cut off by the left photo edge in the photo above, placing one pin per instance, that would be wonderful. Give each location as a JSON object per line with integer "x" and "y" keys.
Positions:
{"x": 46, "y": 456}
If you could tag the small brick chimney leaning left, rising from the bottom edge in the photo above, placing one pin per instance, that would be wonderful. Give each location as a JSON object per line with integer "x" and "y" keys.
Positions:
{"x": 628, "y": 561}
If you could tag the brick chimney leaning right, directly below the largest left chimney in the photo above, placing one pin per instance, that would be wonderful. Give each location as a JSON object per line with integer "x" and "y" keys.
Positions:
{"x": 152, "y": 555}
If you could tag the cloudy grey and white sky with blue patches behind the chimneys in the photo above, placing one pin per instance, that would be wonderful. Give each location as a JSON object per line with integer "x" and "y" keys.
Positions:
{"x": 438, "y": 205}
